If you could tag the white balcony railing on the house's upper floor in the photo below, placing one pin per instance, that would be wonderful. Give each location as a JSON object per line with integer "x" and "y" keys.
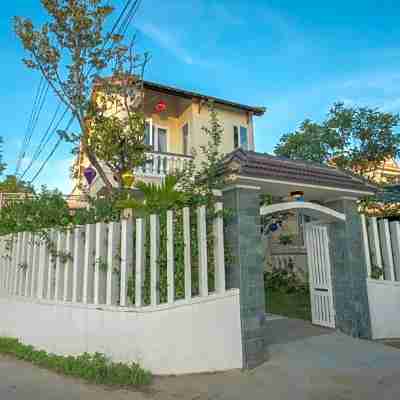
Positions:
{"x": 161, "y": 164}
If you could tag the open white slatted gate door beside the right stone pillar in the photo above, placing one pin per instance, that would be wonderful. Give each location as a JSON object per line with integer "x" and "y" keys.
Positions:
{"x": 319, "y": 267}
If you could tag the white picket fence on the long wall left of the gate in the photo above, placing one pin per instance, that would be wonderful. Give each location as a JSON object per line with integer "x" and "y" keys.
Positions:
{"x": 82, "y": 266}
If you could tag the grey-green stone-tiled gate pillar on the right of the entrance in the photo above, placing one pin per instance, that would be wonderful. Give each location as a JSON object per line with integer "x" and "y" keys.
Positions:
{"x": 349, "y": 271}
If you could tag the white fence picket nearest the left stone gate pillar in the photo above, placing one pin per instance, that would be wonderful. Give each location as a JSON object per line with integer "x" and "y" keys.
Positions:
{"x": 219, "y": 251}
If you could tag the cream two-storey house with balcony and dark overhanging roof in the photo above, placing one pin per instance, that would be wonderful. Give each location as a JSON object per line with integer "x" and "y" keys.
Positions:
{"x": 174, "y": 132}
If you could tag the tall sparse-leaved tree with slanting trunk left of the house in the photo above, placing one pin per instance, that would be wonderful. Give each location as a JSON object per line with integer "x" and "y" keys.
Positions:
{"x": 72, "y": 51}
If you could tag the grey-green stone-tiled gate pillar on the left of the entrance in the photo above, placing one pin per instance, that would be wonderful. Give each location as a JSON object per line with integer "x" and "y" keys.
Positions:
{"x": 246, "y": 270}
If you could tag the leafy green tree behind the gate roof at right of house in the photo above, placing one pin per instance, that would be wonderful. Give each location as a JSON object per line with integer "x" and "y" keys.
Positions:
{"x": 354, "y": 138}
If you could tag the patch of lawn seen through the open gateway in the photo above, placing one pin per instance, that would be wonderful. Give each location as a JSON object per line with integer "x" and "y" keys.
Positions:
{"x": 293, "y": 305}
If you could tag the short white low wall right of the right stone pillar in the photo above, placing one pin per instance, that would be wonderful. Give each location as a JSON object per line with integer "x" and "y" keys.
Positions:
{"x": 384, "y": 304}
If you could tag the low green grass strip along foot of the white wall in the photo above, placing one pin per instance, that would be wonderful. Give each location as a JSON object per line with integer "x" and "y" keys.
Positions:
{"x": 93, "y": 368}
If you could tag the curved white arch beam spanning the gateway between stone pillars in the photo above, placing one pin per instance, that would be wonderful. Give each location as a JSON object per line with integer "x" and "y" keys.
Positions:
{"x": 322, "y": 213}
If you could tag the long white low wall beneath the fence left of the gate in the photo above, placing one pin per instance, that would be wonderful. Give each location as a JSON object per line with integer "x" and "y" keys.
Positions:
{"x": 202, "y": 335}
